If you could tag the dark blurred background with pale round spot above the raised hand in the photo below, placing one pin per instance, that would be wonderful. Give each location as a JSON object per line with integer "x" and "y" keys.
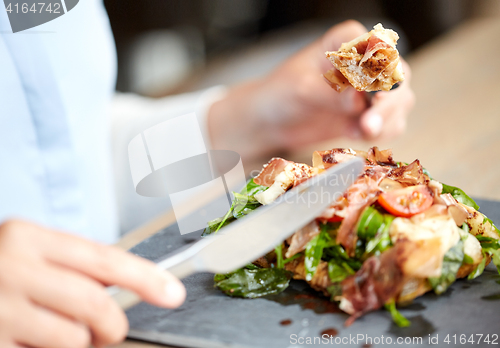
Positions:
{"x": 173, "y": 46}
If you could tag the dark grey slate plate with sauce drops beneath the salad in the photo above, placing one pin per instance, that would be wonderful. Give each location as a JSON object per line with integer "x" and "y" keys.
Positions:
{"x": 210, "y": 319}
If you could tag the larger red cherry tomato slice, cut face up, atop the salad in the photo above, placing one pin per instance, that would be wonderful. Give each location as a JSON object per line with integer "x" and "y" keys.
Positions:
{"x": 407, "y": 201}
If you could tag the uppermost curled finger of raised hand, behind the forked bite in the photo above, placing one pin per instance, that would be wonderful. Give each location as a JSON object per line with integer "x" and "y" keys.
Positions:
{"x": 335, "y": 36}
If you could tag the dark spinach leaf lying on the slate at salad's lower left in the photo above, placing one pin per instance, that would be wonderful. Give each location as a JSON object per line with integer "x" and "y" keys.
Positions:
{"x": 253, "y": 283}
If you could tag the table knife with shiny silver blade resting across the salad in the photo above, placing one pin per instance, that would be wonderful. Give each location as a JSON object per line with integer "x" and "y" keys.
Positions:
{"x": 252, "y": 236}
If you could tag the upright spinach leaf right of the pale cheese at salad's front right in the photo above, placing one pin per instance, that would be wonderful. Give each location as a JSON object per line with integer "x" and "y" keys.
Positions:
{"x": 451, "y": 263}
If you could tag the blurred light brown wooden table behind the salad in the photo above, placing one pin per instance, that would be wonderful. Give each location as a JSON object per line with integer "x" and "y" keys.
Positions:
{"x": 454, "y": 129}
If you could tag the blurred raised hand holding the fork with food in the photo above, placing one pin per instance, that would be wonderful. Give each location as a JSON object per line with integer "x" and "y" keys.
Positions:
{"x": 294, "y": 106}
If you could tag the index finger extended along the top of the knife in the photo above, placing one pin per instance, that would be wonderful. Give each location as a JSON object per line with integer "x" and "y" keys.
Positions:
{"x": 110, "y": 265}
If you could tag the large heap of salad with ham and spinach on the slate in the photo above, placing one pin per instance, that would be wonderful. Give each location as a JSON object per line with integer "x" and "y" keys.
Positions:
{"x": 395, "y": 234}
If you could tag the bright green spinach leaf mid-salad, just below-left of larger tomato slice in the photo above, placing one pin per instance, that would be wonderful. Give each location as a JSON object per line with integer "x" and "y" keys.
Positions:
{"x": 373, "y": 229}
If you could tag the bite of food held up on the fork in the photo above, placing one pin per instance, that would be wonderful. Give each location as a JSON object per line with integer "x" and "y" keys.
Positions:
{"x": 370, "y": 62}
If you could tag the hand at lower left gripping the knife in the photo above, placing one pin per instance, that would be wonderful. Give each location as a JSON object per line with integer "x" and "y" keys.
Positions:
{"x": 52, "y": 288}
